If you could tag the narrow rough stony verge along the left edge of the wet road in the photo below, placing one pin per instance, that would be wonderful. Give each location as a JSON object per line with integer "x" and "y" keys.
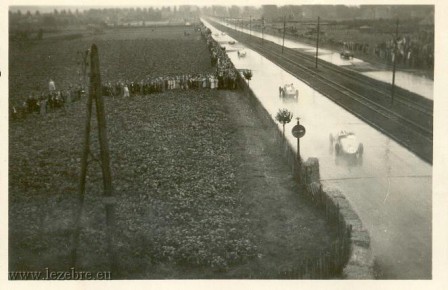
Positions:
{"x": 359, "y": 262}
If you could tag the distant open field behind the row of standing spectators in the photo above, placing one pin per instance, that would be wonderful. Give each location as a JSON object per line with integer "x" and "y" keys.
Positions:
{"x": 127, "y": 54}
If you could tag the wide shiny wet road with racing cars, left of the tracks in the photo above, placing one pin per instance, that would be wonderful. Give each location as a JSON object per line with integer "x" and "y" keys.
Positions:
{"x": 391, "y": 190}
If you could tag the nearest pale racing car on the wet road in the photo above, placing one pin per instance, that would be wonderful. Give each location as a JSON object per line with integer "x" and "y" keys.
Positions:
{"x": 347, "y": 146}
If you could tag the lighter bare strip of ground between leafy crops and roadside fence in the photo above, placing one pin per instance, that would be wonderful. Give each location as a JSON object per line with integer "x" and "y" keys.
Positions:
{"x": 288, "y": 225}
